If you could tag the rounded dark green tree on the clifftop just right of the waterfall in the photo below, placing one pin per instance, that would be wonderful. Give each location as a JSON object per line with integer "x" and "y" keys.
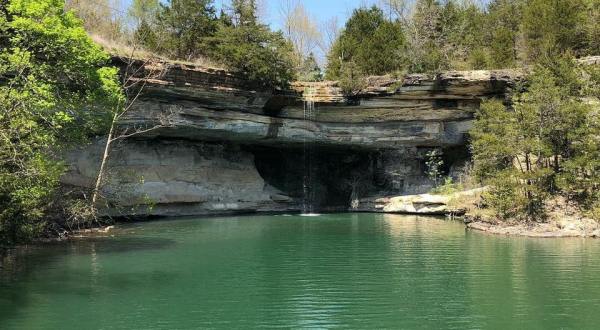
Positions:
{"x": 371, "y": 42}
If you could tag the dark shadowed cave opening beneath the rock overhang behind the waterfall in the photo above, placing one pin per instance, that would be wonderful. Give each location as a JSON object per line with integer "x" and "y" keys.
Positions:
{"x": 338, "y": 176}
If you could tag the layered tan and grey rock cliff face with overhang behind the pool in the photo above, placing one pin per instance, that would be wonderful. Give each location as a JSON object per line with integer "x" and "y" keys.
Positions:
{"x": 228, "y": 146}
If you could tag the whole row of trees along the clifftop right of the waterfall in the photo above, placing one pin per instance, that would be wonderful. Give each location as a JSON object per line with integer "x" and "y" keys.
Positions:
{"x": 460, "y": 35}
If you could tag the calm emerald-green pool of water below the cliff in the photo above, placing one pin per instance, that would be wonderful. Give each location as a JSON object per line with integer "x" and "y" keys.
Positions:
{"x": 344, "y": 270}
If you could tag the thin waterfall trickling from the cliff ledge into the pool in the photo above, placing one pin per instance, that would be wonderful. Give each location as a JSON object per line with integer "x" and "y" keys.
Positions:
{"x": 308, "y": 157}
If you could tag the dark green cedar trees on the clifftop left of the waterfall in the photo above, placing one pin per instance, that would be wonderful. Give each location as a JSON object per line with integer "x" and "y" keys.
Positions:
{"x": 190, "y": 29}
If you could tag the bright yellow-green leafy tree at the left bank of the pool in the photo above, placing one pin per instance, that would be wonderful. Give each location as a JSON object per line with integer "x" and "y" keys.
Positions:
{"x": 54, "y": 92}
